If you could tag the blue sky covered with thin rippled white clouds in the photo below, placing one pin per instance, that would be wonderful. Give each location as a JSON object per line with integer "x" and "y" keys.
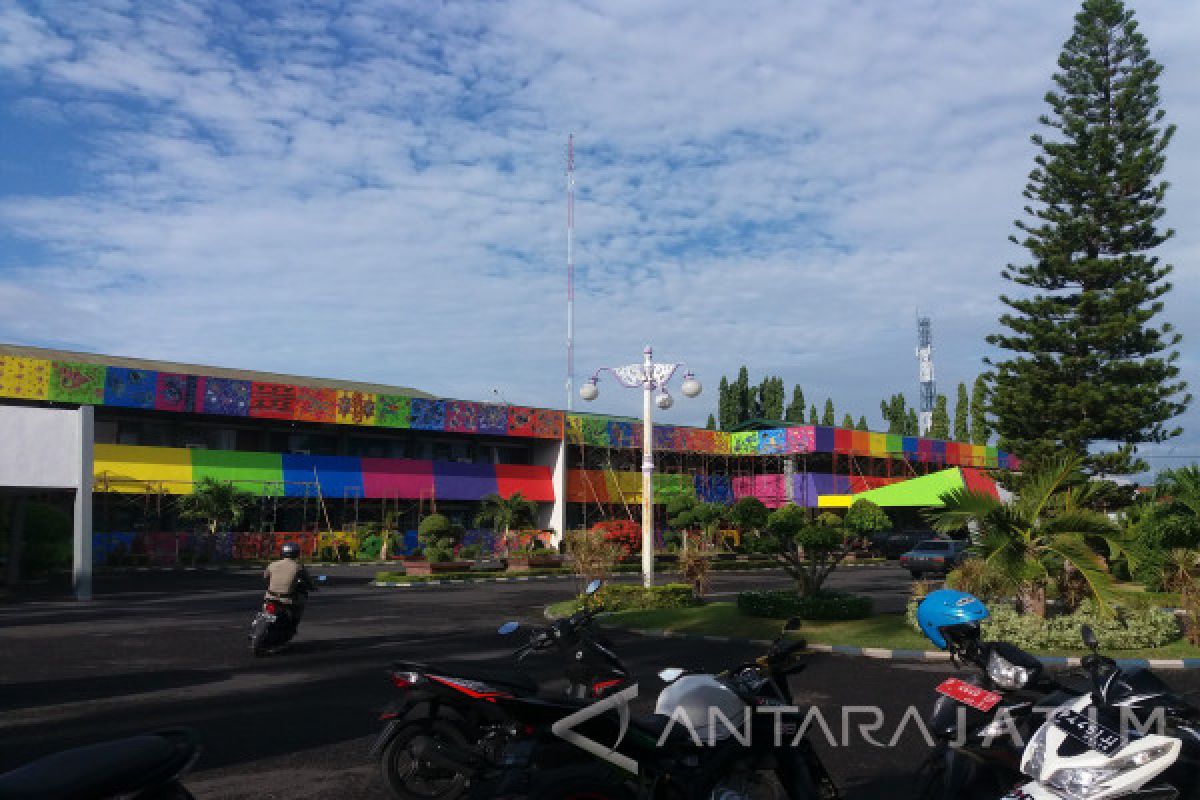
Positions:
{"x": 373, "y": 193}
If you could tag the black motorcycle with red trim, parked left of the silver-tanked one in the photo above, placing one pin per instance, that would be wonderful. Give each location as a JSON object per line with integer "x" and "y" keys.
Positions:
{"x": 448, "y": 727}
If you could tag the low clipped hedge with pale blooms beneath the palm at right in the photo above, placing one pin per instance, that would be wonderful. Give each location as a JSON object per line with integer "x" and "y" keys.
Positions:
{"x": 1131, "y": 629}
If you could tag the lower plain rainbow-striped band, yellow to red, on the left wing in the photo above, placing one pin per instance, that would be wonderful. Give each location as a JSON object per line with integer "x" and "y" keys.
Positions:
{"x": 135, "y": 470}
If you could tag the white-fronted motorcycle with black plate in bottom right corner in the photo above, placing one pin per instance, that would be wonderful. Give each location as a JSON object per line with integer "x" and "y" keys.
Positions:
{"x": 1131, "y": 737}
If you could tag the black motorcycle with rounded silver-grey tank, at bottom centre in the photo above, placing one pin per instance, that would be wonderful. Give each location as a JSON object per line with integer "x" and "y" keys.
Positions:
{"x": 748, "y": 745}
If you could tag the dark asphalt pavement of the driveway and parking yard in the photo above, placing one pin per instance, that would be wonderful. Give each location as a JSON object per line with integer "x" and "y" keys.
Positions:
{"x": 159, "y": 651}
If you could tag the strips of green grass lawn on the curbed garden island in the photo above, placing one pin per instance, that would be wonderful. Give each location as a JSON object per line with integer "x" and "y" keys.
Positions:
{"x": 889, "y": 631}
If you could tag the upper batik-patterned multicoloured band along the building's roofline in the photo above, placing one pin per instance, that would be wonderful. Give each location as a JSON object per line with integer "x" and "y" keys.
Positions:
{"x": 68, "y": 382}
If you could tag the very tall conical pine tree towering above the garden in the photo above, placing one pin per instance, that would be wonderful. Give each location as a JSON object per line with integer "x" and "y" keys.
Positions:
{"x": 1085, "y": 363}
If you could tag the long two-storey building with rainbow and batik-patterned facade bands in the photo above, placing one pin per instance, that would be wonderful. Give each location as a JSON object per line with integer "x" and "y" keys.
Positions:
{"x": 328, "y": 455}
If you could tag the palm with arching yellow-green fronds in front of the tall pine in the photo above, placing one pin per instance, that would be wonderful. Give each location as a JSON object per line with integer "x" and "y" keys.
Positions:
{"x": 1029, "y": 542}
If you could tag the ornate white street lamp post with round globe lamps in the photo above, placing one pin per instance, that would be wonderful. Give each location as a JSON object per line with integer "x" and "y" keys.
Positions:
{"x": 649, "y": 377}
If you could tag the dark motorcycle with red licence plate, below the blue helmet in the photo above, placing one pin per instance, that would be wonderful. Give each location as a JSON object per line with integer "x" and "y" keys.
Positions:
{"x": 981, "y": 725}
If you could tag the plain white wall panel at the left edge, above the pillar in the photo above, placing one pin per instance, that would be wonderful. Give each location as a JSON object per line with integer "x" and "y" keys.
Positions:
{"x": 44, "y": 448}
